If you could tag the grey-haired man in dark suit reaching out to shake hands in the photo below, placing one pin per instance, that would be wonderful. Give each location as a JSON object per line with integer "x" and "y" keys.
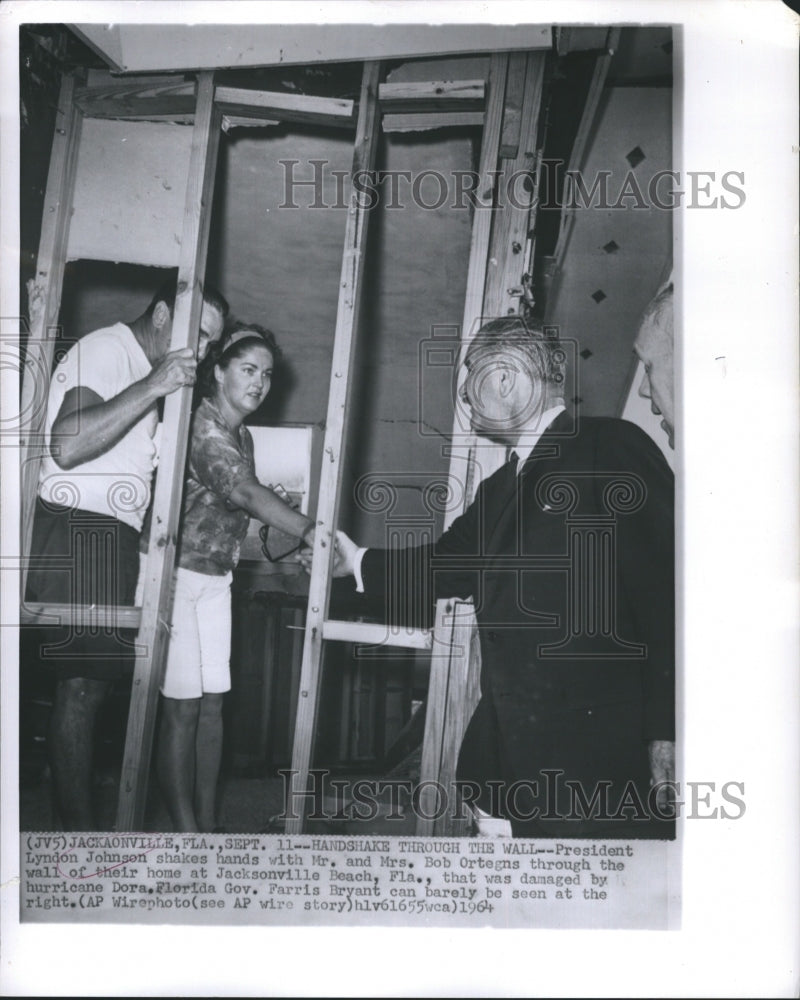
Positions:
{"x": 567, "y": 554}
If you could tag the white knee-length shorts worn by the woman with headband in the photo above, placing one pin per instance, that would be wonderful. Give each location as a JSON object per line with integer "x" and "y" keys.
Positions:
{"x": 198, "y": 660}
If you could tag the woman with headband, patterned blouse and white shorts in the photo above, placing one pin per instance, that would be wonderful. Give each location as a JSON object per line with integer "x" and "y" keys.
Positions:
{"x": 220, "y": 496}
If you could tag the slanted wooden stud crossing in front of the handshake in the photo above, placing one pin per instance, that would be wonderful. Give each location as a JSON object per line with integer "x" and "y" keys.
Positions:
{"x": 350, "y": 295}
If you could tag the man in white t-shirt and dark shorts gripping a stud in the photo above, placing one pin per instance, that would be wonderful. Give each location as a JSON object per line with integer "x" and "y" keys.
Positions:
{"x": 94, "y": 490}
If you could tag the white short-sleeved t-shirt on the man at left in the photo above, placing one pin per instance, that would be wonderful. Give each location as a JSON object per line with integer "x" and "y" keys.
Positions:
{"x": 117, "y": 482}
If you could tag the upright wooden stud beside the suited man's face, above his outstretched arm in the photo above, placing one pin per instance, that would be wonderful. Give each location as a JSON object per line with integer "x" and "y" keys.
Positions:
{"x": 463, "y": 441}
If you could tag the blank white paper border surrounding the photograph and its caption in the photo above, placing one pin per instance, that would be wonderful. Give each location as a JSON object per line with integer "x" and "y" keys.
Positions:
{"x": 738, "y": 467}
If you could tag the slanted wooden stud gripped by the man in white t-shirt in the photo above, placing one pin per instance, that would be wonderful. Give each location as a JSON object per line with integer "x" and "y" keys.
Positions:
{"x": 153, "y": 637}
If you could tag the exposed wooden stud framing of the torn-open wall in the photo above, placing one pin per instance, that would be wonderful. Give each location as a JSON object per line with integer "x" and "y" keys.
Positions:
{"x": 509, "y": 117}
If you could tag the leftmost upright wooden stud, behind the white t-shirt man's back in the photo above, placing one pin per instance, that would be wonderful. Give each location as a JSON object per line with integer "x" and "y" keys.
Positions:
{"x": 43, "y": 327}
